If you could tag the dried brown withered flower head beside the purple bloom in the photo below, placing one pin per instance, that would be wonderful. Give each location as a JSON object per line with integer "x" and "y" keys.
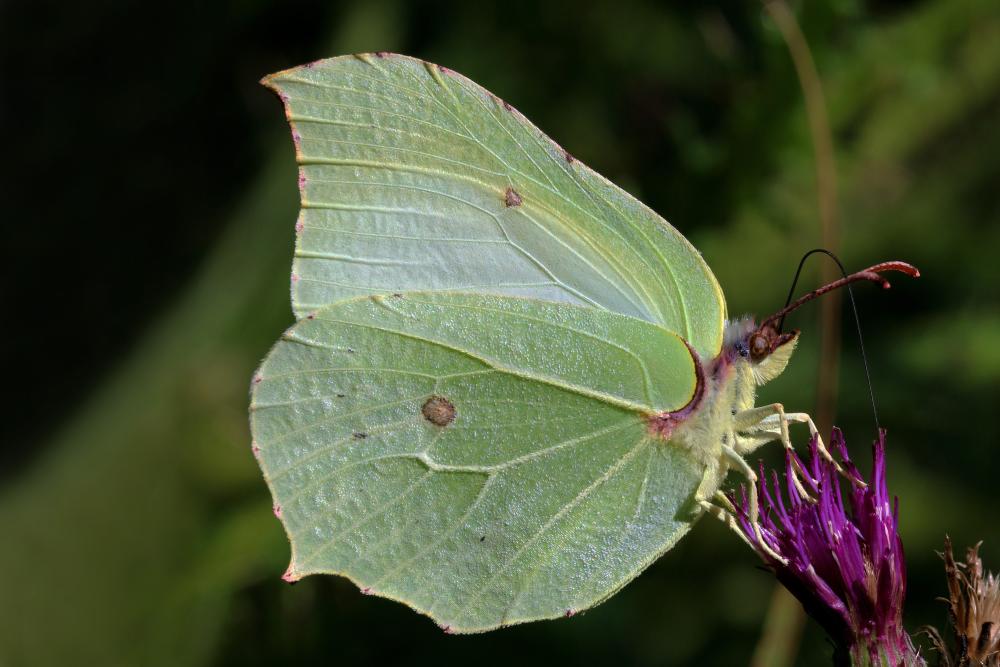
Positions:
{"x": 974, "y": 612}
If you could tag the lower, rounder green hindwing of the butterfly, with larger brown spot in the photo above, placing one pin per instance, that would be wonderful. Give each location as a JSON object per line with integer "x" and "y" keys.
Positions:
{"x": 484, "y": 459}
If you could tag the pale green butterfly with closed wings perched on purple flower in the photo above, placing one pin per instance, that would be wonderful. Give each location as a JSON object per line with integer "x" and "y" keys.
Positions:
{"x": 511, "y": 386}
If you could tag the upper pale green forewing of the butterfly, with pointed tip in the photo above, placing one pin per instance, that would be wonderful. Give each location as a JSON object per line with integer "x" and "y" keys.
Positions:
{"x": 415, "y": 178}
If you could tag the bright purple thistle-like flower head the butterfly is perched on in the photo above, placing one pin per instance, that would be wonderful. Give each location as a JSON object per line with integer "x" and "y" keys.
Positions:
{"x": 841, "y": 554}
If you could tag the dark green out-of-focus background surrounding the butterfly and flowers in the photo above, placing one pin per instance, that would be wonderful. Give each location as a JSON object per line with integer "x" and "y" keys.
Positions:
{"x": 148, "y": 206}
